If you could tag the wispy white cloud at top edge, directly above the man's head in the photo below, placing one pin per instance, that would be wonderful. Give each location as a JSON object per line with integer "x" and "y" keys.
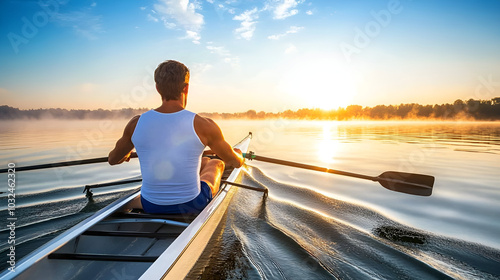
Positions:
{"x": 184, "y": 14}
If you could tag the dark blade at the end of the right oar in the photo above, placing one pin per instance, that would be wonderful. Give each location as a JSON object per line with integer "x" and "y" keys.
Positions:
{"x": 410, "y": 183}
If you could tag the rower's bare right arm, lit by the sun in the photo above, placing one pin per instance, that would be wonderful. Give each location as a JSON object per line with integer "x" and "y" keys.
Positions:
{"x": 211, "y": 135}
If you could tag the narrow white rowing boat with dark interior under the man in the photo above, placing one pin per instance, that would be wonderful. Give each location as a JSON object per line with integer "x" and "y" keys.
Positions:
{"x": 120, "y": 242}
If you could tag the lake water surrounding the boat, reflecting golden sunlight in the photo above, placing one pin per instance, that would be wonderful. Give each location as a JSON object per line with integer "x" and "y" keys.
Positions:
{"x": 313, "y": 225}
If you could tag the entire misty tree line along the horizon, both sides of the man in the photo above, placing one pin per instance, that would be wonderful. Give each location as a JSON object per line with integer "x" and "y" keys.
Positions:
{"x": 466, "y": 110}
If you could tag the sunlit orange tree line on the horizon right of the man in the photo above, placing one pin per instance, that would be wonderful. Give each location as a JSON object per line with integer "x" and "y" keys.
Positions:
{"x": 467, "y": 110}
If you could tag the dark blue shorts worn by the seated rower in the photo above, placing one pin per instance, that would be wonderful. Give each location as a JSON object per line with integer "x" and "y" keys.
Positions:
{"x": 194, "y": 206}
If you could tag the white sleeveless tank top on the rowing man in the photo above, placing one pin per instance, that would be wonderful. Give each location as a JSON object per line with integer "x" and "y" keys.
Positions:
{"x": 169, "y": 153}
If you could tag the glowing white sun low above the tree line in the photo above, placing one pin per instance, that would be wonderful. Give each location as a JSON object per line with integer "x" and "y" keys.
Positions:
{"x": 322, "y": 85}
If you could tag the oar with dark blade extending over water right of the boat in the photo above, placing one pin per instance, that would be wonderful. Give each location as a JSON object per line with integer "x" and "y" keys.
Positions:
{"x": 410, "y": 183}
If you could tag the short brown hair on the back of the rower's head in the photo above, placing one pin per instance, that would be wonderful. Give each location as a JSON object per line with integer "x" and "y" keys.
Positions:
{"x": 171, "y": 77}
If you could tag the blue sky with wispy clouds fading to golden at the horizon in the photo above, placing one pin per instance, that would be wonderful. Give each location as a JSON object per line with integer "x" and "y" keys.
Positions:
{"x": 269, "y": 55}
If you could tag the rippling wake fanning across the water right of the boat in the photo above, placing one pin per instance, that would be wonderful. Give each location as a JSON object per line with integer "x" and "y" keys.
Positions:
{"x": 298, "y": 233}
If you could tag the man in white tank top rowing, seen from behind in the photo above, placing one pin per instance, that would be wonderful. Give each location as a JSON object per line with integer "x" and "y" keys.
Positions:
{"x": 169, "y": 142}
